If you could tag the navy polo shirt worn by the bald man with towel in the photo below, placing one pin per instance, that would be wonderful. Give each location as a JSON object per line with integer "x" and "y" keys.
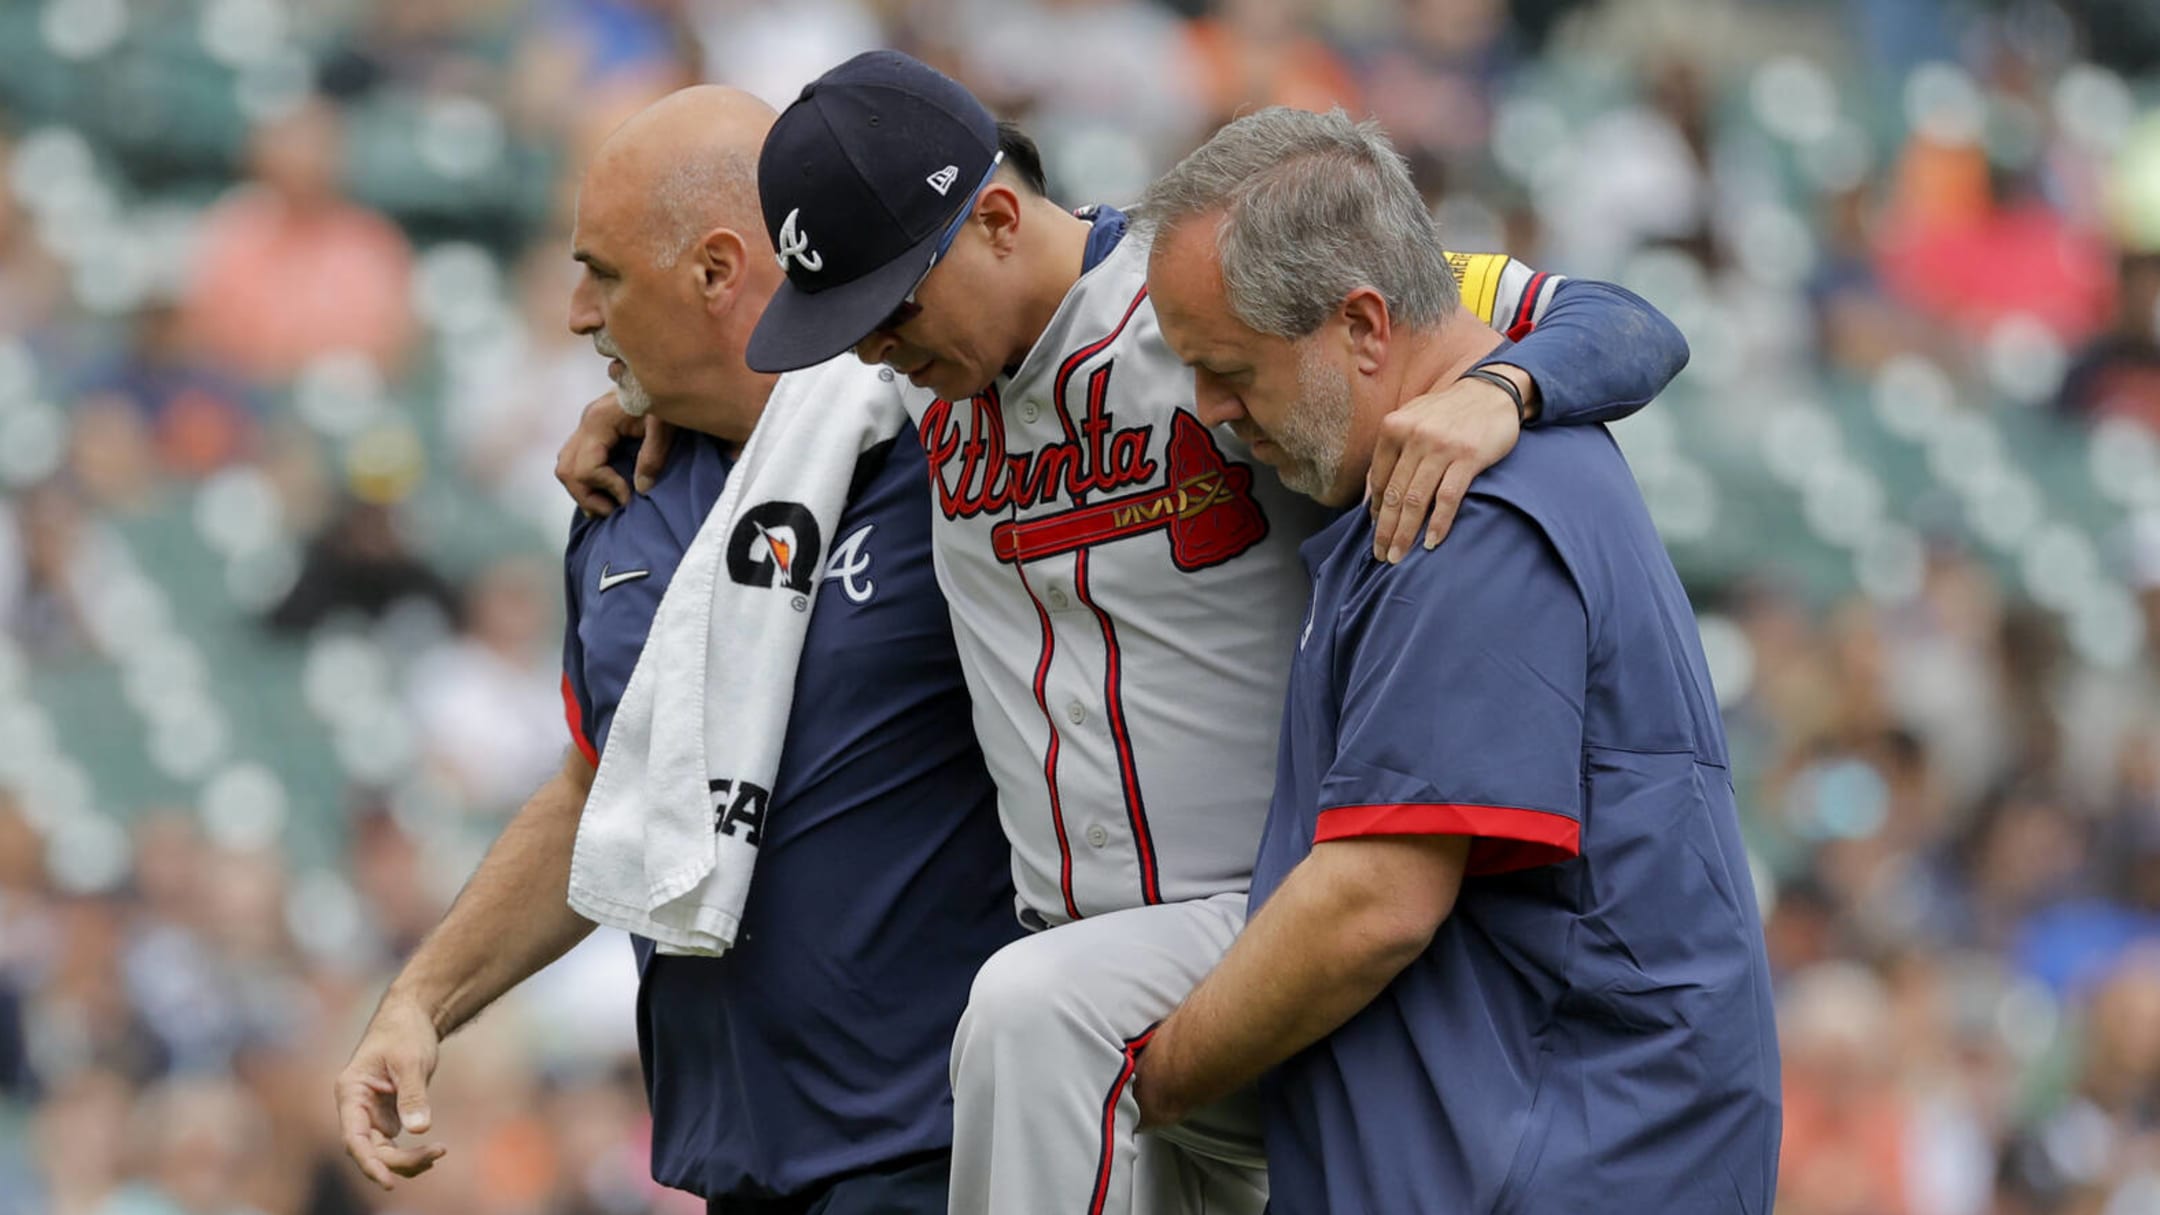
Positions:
{"x": 820, "y": 1043}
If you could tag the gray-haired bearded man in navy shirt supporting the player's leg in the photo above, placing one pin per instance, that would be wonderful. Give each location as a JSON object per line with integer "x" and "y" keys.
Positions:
{"x": 1504, "y": 939}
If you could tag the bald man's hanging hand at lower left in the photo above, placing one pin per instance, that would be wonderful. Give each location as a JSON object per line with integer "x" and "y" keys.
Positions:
{"x": 383, "y": 1091}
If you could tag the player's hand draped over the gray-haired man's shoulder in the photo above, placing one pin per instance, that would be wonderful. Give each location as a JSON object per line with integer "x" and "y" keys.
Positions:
{"x": 1429, "y": 453}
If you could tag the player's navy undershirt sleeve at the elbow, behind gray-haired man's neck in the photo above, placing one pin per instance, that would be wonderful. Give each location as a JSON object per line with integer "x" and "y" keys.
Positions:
{"x": 1599, "y": 353}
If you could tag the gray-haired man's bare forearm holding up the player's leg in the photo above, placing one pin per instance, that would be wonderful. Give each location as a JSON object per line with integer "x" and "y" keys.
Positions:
{"x": 1319, "y": 952}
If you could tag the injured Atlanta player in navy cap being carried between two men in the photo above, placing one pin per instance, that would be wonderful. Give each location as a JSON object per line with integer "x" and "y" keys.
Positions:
{"x": 1092, "y": 535}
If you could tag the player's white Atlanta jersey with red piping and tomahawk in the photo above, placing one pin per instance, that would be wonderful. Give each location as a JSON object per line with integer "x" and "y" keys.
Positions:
{"x": 1094, "y": 537}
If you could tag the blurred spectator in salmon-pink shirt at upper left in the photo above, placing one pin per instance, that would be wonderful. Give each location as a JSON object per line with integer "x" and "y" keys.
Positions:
{"x": 288, "y": 269}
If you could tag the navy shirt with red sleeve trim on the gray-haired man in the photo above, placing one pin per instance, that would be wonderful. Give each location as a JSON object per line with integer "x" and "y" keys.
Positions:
{"x": 1591, "y": 1028}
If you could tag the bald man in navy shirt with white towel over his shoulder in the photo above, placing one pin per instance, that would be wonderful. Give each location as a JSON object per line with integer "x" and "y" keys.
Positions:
{"x": 802, "y": 1073}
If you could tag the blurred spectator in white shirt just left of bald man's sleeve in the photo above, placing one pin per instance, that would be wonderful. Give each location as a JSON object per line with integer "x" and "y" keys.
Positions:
{"x": 489, "y": 702}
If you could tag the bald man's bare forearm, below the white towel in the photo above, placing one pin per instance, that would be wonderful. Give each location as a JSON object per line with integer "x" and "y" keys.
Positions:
{"x": 513, "y": 916}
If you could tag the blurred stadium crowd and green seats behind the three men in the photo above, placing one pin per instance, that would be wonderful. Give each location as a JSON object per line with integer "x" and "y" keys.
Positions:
{"x": 284, "y": 369}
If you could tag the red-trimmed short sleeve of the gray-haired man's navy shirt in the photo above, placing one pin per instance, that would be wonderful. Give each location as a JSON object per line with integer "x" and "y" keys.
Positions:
{"x": 1463, "y": 676}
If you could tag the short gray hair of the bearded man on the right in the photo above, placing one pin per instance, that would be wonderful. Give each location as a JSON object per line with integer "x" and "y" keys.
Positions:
{"x": 1317, "y": 206}
